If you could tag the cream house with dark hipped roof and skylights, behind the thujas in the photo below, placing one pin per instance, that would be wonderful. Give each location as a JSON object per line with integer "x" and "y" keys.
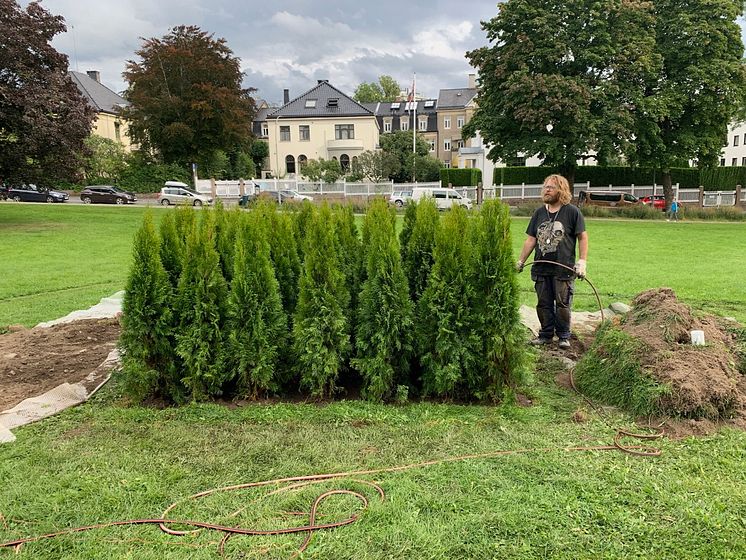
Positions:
{"x": 321, "y": 123}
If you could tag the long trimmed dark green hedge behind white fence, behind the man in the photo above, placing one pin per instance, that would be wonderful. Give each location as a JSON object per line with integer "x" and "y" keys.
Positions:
{"x": 713, "y": 179}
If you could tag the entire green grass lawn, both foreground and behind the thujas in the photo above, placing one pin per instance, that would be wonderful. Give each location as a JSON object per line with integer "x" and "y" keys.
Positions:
{"x": 107, "y": 461}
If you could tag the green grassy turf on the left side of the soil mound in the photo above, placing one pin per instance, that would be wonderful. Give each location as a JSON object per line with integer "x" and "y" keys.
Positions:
{"x": 611, "y": 372}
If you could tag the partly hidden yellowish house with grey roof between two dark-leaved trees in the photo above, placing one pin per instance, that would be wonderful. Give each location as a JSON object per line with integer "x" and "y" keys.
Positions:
{"x": 108, "y": 105}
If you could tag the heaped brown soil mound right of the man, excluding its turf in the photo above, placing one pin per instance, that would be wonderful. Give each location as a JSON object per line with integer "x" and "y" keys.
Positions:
{"x": 705, "y": 380}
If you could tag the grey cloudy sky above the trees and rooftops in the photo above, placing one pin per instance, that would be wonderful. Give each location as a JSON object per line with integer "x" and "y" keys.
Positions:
{"x": 289, "y": 43}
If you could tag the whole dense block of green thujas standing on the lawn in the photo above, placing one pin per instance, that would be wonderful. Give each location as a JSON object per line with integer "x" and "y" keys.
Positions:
{"x": 243, "y": 304}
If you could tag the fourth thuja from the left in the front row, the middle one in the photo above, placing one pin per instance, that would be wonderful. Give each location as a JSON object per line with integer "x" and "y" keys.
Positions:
{"x": 320, "y": 332}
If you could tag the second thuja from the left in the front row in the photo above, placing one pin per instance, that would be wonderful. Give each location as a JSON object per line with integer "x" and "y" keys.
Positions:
{"x": 202, "y": 298}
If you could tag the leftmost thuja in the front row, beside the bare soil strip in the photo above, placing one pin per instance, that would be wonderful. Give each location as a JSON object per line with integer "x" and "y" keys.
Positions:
{"x": 147, "y": 365}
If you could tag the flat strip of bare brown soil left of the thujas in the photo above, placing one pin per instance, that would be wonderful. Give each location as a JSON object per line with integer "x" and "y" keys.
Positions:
{"x": 33, "y": 361}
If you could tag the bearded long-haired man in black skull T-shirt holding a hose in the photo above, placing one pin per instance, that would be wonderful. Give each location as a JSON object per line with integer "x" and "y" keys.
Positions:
{"x": 553, "y": 231}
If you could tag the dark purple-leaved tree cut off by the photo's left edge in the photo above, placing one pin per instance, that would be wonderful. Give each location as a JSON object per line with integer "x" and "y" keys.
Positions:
{"x": 43, "y": 118}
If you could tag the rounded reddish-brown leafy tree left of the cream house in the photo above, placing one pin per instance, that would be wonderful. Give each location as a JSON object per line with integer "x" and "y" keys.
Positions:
{"x": 186, "y": 97}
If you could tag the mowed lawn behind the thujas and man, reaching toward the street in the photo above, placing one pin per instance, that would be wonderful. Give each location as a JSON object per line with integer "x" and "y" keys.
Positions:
{"x": 57, "y": 259}
